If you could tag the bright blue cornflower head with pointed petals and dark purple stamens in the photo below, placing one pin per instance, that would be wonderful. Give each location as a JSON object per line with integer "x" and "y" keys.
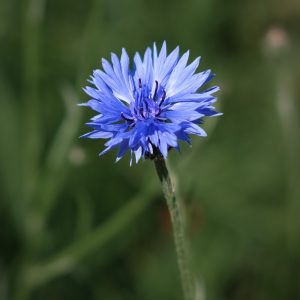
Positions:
{"x": 148, "y": 110}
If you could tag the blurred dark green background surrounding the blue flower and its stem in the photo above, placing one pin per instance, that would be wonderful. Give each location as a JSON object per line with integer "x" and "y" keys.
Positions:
{"x": 76, "y": 226}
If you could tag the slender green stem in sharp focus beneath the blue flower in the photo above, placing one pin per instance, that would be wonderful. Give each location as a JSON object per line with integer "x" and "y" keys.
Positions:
{"x": 187, "y": 280}
